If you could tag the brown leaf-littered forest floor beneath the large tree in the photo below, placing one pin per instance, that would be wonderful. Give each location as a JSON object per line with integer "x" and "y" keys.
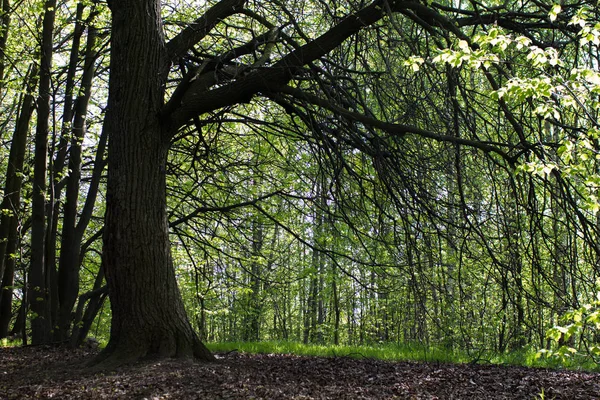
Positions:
{"x": 46, "y": 372}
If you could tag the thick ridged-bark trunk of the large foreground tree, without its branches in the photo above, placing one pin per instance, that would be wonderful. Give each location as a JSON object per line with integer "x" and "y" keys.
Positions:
{"x": 148, "y": 316}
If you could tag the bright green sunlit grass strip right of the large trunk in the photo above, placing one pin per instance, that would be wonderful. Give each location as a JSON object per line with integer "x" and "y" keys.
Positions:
{"x": 392, "y": 352}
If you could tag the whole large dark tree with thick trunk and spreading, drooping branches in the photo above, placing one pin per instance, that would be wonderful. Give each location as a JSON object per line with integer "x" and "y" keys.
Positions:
{"x": 148, "y": 315}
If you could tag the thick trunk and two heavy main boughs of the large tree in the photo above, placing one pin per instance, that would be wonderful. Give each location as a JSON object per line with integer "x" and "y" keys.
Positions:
{"x": 148, "y": 316}
